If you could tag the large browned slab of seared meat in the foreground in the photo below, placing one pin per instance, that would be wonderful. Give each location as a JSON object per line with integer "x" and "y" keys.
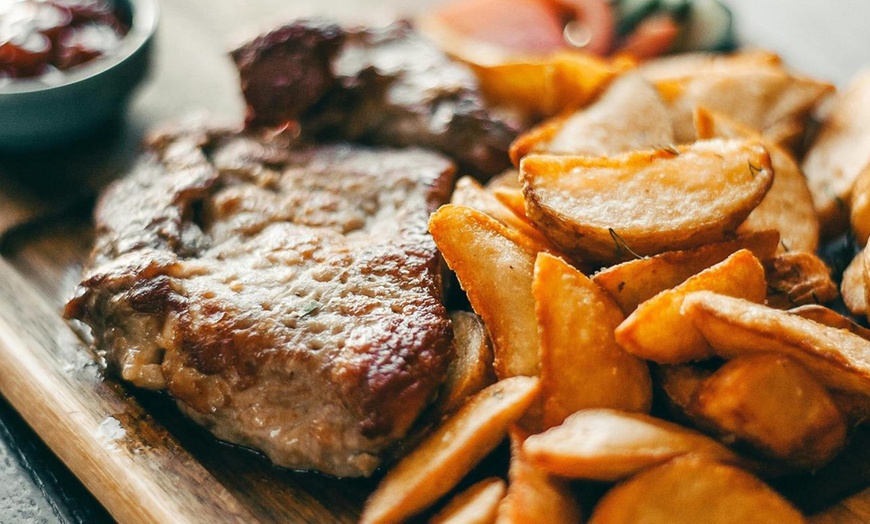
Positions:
{"x": 288, "y": 299}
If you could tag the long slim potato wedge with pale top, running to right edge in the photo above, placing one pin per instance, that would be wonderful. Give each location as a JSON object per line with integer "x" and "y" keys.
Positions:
{"x": 734, "y": 327}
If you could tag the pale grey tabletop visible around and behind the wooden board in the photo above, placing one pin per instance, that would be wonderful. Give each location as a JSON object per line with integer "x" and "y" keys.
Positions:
{"x": 829, "y": 39}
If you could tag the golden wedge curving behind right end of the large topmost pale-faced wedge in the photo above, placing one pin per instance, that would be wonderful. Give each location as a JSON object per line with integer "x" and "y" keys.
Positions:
{"x": 788, "y": 206}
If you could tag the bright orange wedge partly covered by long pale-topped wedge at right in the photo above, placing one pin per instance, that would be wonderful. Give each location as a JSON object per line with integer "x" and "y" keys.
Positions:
{"x": 657, "y": 331}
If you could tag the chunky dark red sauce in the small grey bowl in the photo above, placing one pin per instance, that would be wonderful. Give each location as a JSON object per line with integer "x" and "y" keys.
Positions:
{"x": 39, "y": 38}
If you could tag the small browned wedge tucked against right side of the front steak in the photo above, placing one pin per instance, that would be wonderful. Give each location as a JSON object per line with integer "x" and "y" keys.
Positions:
{"x": 471, "y": 369}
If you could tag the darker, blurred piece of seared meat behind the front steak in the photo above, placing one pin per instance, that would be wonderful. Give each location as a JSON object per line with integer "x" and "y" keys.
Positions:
{"x": 387, "y": 86}
